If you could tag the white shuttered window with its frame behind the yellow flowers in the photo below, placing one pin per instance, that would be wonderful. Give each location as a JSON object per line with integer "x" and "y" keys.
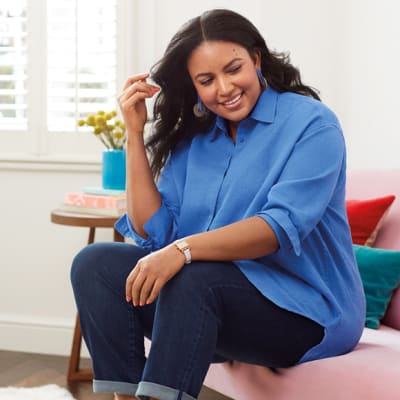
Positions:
{"x": 59, "y": 61}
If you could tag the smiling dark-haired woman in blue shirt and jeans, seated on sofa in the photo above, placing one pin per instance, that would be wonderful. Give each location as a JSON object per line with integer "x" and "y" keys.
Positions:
{"x": 244, "y": 250}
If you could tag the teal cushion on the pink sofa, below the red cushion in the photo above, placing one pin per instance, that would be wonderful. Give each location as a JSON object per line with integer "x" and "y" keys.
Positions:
{"x": 380, "y": 273}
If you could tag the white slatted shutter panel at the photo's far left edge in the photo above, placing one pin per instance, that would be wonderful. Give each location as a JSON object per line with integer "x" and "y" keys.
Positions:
{"x": 13, "y": 64}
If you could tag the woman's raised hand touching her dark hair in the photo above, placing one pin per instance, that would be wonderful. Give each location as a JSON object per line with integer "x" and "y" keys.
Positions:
{"x": 132, "y": 102}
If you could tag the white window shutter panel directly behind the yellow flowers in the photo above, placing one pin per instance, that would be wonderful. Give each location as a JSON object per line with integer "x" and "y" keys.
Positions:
{"x": 81, "y": 60}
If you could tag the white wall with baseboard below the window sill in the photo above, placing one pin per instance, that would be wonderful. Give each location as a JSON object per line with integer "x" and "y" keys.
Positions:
{"x": 36, "y": 303}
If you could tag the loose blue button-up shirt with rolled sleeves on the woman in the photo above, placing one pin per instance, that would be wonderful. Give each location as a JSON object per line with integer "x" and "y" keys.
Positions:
{"x": 288, "y": 166}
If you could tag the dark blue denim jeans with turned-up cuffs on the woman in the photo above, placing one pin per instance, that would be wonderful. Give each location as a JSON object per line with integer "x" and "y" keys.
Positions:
{"x": 208, "y": 312}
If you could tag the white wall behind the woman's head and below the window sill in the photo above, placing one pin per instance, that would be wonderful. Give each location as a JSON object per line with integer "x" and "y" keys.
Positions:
{"x": 347, "y": 48}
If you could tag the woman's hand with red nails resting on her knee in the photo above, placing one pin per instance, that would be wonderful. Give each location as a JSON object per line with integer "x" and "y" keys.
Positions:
{"x": 151, "y": 273}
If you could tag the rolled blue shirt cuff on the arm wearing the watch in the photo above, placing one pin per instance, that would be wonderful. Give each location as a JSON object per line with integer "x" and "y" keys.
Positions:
{"x": 283, "y": 228}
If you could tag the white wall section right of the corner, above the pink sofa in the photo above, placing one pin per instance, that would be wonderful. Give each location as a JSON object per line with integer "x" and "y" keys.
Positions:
{"x": 372, "y": 86}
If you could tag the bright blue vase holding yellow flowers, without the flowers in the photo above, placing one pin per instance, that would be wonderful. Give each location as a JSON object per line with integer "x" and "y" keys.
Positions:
{"x": 114, "y": 169}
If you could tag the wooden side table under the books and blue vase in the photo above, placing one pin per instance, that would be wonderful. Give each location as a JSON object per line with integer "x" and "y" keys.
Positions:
{"x": 92, "y": 222}
